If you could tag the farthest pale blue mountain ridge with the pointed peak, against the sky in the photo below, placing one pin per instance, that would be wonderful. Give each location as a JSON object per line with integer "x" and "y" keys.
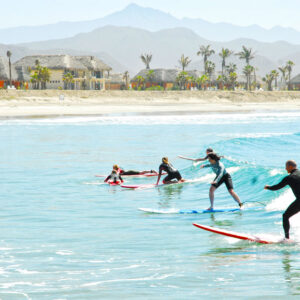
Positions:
{"x": 151, "y": 20}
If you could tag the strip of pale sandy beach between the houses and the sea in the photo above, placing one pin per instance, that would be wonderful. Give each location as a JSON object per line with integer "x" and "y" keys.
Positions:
{"x": 48, "y": 102}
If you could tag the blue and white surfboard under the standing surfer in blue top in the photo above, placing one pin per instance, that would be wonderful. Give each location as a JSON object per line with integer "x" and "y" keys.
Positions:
{"x": 186, "y": 211}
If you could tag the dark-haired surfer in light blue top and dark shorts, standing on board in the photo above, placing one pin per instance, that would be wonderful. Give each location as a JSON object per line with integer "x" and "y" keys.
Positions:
{"x": 221, "y": 177}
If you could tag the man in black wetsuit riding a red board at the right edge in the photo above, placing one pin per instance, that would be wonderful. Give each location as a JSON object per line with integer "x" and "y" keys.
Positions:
{"x": 293, "y": 180}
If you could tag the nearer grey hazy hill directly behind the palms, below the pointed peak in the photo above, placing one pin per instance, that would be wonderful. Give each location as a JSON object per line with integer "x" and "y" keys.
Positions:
{"x": 126, "y": 44}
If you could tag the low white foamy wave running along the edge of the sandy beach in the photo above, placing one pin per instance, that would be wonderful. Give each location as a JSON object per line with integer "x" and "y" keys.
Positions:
{"x": 176, "y": 119}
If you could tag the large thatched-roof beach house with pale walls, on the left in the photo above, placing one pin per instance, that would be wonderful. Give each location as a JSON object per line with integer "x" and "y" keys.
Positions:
{"x": 66, "y": 71}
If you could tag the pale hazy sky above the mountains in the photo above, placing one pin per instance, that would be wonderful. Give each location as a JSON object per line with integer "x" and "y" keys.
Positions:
{"x": 266, "y": 13}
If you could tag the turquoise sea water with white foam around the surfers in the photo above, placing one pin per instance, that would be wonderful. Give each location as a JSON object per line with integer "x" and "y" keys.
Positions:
{"x": 65, "y": 235}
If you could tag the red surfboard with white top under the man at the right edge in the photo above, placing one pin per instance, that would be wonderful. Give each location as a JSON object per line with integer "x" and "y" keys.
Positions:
{"x": 241, "y": 236}
